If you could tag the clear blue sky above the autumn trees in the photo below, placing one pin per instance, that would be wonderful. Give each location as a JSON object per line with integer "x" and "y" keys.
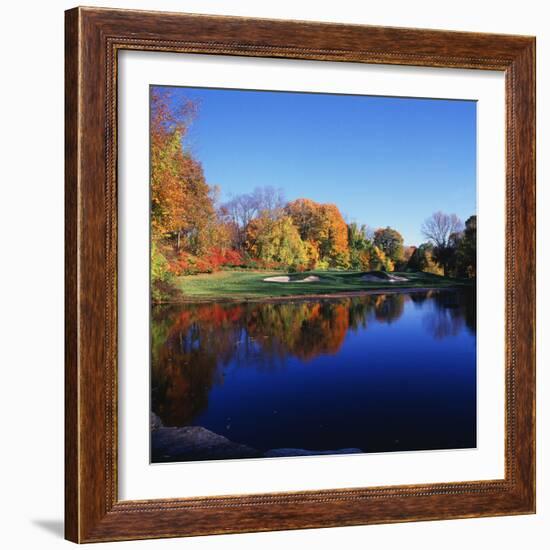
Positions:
{"x": 381, "y": 160}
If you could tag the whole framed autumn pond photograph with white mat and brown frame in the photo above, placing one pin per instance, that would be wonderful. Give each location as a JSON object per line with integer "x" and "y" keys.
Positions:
{"x": 300, "y": 275}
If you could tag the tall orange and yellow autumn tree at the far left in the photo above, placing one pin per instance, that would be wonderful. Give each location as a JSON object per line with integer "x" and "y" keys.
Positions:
{"x": 185, "y": 225}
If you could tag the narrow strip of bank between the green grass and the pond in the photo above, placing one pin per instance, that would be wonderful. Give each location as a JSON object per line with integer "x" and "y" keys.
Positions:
{"x": 306, "y": 297}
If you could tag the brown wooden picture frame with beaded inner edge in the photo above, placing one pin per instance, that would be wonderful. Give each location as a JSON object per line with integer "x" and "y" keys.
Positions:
{"x": 93, "y": 511}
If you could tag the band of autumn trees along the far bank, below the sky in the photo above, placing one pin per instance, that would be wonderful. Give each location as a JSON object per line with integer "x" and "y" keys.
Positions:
{"x": 192, "y": 232}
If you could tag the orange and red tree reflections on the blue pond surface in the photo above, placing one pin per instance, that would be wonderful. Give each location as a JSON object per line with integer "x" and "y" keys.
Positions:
{"x": 193, "y": 345}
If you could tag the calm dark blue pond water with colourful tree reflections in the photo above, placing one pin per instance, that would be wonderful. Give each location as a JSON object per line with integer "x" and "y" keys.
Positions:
{"x": 377, "y": 373}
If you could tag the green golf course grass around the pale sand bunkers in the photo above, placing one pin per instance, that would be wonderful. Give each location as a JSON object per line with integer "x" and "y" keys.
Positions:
{"x": 251, "y": 285}
